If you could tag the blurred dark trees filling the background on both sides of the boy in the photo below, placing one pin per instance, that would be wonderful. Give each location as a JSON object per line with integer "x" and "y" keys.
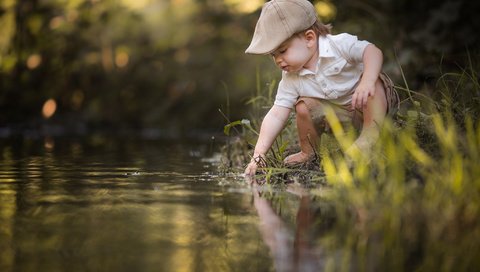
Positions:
{"x": 73, "y": 66}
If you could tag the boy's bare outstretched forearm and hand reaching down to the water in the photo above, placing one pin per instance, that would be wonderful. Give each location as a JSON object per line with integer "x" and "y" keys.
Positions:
{"x": 272, "y": 124}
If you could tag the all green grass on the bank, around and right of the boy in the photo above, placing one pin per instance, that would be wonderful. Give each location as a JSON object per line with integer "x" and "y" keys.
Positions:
{"x": 414, "y": 204}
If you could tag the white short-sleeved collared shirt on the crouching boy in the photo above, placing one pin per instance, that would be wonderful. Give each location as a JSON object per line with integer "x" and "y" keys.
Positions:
{"x": 339, "y": 67}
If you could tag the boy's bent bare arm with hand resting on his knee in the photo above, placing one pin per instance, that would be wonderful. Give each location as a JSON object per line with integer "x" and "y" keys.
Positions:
{"x": 372, "y": 65}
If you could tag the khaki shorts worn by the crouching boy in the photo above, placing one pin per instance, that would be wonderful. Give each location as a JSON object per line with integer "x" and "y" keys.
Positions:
{"x": 344, "y": 113}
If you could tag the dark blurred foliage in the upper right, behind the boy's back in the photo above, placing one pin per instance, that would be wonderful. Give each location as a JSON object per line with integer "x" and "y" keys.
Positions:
{"x": 417, "y": 34}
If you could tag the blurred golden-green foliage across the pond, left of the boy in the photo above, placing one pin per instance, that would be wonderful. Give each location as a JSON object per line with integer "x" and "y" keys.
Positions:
{"x": 107, "y": 65}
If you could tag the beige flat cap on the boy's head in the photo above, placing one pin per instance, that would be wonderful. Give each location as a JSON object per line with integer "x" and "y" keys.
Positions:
{"x": 278, "y": 21}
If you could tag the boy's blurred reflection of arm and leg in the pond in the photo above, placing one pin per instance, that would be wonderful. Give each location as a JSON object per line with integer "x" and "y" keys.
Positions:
{"x": 299, "y": 254}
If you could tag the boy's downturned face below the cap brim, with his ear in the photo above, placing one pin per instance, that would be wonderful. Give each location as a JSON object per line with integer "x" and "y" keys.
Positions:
{"x": 298, "y": 52}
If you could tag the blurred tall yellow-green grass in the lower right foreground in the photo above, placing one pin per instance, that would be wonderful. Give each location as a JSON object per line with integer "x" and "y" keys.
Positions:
{"x": 411, "y": 208}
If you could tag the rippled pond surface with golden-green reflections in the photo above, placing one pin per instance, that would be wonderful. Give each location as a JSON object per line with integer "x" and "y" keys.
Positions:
{"x": 137, "y": 205}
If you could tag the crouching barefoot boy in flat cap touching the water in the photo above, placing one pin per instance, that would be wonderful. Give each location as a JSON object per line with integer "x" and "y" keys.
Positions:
{"x": 319, "y": 70}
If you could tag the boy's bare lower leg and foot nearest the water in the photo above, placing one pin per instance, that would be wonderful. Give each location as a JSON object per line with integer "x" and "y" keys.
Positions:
{"x": 307, "y": 135}
